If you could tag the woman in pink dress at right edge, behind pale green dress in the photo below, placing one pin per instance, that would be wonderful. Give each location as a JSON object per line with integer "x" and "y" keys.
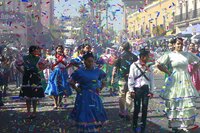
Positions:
{"x": 195, "y": 76}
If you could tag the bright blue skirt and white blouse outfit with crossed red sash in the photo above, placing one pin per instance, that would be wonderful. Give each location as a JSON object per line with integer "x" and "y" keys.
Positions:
{"x": 58, "y": 81}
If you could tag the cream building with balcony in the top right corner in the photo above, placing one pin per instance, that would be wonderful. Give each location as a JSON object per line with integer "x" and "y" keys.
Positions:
{"x": 187, "y": 14}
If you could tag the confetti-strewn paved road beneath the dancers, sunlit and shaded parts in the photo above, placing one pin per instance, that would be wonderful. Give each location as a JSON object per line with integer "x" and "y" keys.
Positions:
{"x": 12, "y": 115}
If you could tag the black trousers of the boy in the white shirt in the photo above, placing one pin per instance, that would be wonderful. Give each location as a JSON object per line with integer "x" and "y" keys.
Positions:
{"x": 140, "y": 97}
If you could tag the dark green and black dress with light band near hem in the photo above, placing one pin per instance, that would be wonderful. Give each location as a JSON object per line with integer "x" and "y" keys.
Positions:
{"x": 31, "y": 84}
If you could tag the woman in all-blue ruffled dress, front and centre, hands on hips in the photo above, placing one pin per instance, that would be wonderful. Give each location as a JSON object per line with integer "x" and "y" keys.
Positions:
{"x": 88, "y": 113}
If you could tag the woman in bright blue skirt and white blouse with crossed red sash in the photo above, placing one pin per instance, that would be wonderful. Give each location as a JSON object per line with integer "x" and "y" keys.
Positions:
{"x": 58, "y": 82}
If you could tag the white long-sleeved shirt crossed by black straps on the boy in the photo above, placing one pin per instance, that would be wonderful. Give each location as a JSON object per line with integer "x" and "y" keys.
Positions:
{"x": 135, "y": 72}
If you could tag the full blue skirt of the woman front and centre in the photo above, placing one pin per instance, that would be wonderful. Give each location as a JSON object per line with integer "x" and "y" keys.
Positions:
{"x": 88, "y": 113}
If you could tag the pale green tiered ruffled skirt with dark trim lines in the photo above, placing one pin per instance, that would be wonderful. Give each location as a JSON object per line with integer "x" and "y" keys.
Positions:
{"x": 180, "y": 95}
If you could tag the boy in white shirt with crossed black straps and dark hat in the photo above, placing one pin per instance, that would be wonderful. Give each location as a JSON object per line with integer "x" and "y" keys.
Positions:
{"x": 140, "y": 84}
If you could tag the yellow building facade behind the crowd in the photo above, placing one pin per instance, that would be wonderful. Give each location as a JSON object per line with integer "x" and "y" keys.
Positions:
{"x": 155, "y": 19}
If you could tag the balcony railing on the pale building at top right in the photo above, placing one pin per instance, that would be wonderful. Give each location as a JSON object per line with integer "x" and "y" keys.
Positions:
{"x": 187, "y": 16}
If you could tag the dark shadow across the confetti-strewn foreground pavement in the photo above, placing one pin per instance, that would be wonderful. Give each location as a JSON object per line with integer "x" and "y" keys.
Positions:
{"x": 57, "y": 121}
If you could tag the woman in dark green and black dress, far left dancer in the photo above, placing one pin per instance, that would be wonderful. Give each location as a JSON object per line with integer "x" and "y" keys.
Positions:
{"x": 31, "y": 90}
